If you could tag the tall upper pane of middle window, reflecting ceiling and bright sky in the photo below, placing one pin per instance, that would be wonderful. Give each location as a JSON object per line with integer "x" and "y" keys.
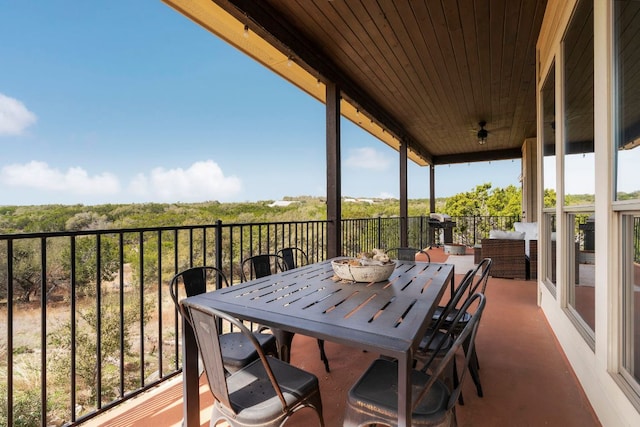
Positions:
{"x": 579, "y": 159}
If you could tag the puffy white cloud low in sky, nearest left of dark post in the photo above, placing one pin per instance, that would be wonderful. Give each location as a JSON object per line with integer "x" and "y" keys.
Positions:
{"x": 202, "y": 181}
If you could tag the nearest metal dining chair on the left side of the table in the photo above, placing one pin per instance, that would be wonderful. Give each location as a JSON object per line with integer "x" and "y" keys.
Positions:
{"x": 266, "y": 392}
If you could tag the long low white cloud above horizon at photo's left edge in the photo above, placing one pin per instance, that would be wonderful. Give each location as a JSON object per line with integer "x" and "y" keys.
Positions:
{"x": 40, "y": 176}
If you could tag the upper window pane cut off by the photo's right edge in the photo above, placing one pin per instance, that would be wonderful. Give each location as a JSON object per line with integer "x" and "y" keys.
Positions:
{"x": 627, "y": 45}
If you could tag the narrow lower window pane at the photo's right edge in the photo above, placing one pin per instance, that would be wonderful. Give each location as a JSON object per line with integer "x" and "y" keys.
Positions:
{"x": 631, "y": 297}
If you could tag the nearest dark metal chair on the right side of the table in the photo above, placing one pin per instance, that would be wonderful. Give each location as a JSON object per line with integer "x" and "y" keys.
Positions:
{"x": 373, "y": 399}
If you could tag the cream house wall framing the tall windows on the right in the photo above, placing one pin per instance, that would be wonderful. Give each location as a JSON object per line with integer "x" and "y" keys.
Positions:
{"x": 594, "y": 357}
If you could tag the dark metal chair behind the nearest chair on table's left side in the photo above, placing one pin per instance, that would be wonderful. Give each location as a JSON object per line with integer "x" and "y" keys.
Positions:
{"x": 237, "y": 351}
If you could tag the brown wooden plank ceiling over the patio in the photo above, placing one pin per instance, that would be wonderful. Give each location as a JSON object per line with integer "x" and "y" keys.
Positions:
{"x": 427, "y": 71}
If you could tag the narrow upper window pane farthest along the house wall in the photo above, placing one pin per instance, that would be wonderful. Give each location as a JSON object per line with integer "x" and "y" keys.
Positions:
{"x": 549, "y": 138}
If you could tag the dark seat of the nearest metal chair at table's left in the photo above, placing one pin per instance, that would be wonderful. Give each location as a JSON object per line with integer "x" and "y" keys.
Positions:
{"x": 253, "y": 397}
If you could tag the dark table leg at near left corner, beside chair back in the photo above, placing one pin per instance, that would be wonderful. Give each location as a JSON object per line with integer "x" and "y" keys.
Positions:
{"x": 190, "y": 377}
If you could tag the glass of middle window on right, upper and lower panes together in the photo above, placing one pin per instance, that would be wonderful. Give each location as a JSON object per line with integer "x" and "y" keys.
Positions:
{"x": 579, "y": 166}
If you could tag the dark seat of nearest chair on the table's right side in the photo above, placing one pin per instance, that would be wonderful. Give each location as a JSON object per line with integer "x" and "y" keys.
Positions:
{"x": 378, "y": 388}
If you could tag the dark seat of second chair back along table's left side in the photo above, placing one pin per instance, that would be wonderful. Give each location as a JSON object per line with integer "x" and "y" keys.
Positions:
{"x": 238, "y": 351}
